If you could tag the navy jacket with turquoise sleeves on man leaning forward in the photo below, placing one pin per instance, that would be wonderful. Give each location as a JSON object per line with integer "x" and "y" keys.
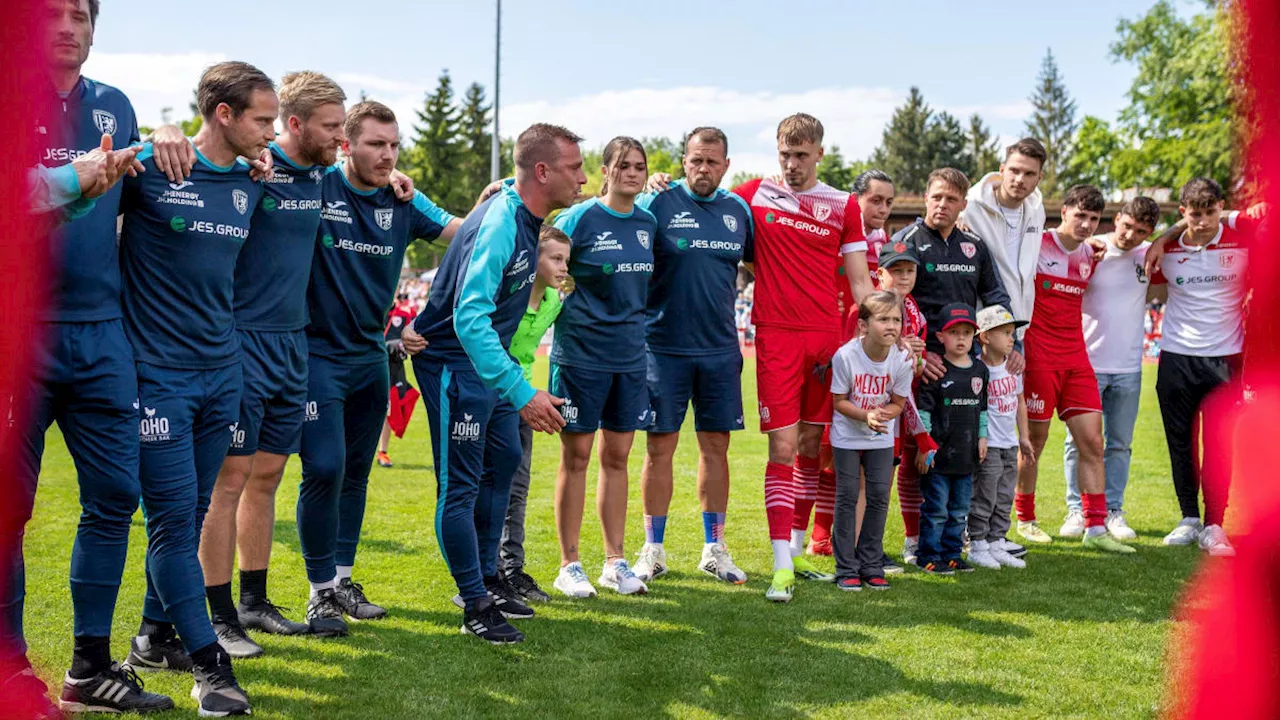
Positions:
{"x": 482, "y": 293}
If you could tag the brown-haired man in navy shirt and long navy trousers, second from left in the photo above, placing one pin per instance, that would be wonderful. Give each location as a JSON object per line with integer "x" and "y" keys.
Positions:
{"x": 179, "y": 256}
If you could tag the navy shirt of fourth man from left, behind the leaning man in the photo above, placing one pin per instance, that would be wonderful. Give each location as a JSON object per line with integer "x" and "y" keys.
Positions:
{"x": 355, "y": 271}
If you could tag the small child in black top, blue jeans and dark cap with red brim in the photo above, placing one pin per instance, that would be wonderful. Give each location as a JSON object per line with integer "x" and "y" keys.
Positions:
{"x": 954, "y": 409}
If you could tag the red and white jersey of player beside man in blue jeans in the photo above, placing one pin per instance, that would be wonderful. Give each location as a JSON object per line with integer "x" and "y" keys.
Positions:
{"x": 1055, "y": 340}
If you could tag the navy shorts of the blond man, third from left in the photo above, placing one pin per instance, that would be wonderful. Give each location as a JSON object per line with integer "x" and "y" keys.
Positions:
{"x": 276, "y": 393}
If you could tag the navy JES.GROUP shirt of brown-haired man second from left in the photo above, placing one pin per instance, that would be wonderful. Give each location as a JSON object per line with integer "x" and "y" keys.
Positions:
{"x": 179, "y": 262}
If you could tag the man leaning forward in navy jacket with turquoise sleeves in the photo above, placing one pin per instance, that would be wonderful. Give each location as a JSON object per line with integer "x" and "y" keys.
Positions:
{"x": 474, "y": 391}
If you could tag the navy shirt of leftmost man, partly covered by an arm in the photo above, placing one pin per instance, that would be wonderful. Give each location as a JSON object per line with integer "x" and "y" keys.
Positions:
{"x": 88, "y": 288}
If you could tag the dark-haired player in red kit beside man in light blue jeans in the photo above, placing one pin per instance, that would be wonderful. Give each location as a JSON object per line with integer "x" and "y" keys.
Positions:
{"x": 1059, "y": 375}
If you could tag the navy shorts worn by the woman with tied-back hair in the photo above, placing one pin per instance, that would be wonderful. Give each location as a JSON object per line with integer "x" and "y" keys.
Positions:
{"x": 600, "y": 399}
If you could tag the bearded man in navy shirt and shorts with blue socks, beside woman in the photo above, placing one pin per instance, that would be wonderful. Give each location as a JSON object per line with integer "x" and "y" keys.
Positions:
{"x": 693, "y": 350}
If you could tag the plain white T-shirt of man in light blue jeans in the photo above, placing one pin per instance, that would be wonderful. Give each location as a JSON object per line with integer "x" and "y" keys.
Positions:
{"x": 1116, "y": 309}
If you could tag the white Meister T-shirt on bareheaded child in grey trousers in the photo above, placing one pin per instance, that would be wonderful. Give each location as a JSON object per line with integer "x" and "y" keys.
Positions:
{"x": 868, "y": 385}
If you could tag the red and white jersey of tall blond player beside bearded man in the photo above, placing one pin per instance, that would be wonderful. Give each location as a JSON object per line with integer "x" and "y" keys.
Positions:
{"x": 801, "y": 239}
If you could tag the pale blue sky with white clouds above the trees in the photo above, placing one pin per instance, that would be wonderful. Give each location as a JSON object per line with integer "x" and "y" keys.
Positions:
{"x": 644, "y": 70}
